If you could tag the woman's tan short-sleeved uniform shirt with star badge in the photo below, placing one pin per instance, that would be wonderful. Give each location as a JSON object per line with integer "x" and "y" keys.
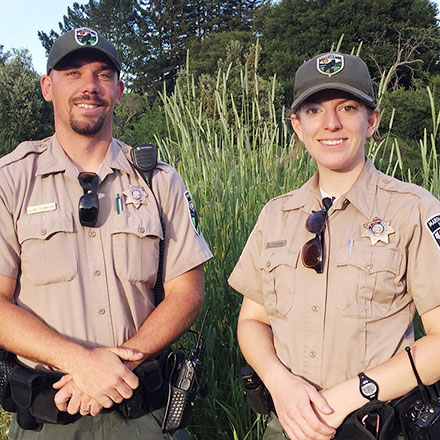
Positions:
{"x": 357, "y": 314}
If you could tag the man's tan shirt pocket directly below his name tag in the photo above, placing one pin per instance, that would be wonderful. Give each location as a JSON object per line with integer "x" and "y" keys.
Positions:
{"x": 48, "y": 249}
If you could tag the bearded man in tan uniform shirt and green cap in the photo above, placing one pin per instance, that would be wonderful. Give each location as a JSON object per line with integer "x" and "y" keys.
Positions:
{"x": 79, "y": 250}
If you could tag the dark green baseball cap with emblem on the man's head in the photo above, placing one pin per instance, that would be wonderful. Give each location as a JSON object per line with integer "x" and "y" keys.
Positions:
{"x": 81, "y": 39}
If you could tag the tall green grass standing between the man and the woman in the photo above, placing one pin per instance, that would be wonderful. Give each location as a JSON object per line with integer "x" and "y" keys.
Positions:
{"x": 233, "y": 163}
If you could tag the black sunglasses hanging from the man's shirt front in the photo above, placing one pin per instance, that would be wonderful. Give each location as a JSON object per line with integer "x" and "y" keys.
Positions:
{"x": 88, "y": 206}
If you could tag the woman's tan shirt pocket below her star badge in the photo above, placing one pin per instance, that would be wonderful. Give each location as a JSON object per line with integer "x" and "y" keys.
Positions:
{"x": 367, "y": 280}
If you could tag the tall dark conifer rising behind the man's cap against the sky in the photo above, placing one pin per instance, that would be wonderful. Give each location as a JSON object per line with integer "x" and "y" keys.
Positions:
{"x": 153, "y": 36}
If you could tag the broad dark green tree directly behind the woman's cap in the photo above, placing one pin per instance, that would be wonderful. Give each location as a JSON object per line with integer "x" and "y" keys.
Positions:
{"x": 400, "y": 33}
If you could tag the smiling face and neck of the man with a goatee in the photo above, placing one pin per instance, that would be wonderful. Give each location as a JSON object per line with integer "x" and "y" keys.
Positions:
{"x": 84, "y": 89}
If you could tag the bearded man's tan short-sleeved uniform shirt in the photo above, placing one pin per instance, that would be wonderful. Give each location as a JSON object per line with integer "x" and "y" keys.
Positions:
{"x": 92, "y": 285}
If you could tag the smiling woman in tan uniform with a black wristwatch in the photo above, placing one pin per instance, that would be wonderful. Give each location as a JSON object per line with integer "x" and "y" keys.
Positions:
{"x": 333, "y": 272}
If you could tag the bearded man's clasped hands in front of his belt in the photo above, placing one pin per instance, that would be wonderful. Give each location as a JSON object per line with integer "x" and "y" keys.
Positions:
{"x": 97, "y": 380}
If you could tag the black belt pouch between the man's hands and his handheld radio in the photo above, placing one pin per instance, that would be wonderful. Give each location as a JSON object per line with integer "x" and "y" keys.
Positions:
{"x": 149, "y": 395}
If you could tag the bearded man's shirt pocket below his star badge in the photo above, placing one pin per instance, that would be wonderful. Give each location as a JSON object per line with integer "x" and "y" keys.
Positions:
{"x": 135, "y": 244}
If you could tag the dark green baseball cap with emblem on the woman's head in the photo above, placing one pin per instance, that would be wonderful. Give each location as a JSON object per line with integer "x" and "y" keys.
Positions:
{"x": 335, "y": 71}
